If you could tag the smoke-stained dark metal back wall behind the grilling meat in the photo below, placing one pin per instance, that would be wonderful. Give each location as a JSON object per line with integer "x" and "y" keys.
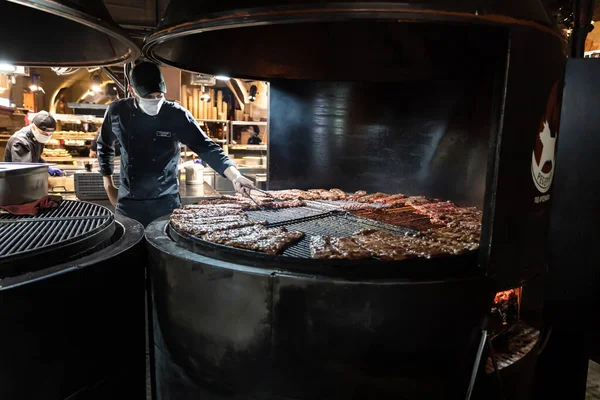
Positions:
{"x": 417, "y": 137}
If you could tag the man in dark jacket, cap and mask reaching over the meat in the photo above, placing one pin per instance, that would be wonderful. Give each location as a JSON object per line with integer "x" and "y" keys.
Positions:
{"x": 150, "y": 130}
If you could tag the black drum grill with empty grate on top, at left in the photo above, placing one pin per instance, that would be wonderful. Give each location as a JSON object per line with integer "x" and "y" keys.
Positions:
{"x": 71, "y": 305}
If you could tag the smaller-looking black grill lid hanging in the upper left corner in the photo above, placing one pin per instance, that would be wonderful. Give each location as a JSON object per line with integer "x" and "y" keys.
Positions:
{"x": 73, "y": 33}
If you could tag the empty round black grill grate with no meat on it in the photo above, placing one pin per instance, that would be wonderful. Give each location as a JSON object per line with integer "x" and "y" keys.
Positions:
{"x": 69, "y": 229}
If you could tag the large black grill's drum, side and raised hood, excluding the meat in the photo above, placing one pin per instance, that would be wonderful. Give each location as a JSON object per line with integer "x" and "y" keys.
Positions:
{"x": 443, "y": 99}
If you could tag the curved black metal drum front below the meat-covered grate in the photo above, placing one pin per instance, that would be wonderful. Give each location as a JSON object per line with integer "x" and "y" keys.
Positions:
{"x": 248, "y": 331}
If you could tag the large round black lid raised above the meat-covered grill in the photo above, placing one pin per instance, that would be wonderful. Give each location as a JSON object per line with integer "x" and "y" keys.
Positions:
{"x": 332, "y": 40}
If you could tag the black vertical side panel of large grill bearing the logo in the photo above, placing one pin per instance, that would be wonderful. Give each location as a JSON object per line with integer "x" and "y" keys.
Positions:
{"x": 515, "y": 228}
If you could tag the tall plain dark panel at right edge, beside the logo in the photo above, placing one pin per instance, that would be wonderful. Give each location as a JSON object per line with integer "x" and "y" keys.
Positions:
{"x": 573, "y": 295}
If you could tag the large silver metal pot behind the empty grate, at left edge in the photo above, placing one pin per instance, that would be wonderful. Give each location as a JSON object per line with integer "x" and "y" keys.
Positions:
{"x": 22, "y": 183}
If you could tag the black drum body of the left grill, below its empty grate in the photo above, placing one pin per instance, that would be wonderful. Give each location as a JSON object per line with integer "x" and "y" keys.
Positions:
{"x": 76, "y": 329}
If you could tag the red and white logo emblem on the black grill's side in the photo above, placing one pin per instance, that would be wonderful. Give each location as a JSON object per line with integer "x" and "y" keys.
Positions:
{"x": 544, "y": 152}
